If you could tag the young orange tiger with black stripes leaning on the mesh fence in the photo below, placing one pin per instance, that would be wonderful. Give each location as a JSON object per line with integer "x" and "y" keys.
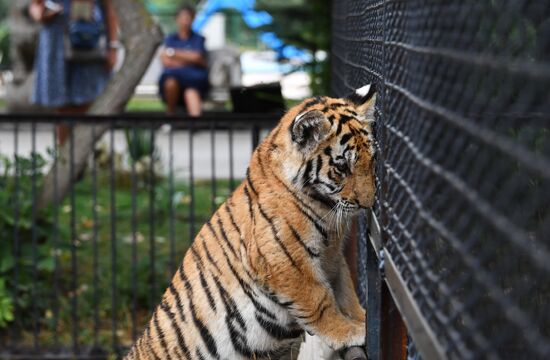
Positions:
{"x": 269, "y": 265}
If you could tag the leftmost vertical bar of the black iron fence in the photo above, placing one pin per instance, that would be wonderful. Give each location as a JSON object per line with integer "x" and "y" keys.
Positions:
{"x": 16, "y": 326}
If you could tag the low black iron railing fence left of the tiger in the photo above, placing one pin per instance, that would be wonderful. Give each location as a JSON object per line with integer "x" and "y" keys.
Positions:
{"x": 82, "y": 265}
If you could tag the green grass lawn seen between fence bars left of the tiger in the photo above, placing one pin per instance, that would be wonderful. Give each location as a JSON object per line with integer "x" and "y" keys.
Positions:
{"x": 129, "y": 286}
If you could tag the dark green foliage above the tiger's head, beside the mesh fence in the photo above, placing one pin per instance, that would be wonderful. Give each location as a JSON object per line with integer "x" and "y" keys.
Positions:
{"x": 305, "y": 24}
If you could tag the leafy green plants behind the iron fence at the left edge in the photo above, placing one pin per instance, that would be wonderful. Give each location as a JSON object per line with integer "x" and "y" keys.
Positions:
{"x": 16, "y": 221}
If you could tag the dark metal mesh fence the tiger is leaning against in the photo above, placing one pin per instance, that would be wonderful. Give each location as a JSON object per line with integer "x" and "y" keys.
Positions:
{"x": 464, "y": 161}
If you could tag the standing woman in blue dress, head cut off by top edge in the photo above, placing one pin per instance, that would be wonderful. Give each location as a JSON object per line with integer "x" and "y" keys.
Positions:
{"x": 70, "y": 86}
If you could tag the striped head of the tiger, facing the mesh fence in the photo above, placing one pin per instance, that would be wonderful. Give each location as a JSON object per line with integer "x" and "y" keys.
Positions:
{"x": 330, "y": 150}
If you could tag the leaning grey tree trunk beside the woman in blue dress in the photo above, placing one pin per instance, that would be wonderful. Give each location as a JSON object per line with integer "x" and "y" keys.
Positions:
{"x": 140, "y": 37}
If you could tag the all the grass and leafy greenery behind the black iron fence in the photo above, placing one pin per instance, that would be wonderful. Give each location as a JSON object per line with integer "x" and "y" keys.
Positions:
{"x": 32, "y": 297}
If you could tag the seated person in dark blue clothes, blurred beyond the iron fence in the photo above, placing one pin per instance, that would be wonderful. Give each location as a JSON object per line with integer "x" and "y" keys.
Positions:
{"x": 184, "y": 80}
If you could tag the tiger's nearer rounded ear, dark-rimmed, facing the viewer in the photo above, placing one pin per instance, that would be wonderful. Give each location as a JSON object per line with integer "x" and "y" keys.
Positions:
{"x": 308, "y": 129}
